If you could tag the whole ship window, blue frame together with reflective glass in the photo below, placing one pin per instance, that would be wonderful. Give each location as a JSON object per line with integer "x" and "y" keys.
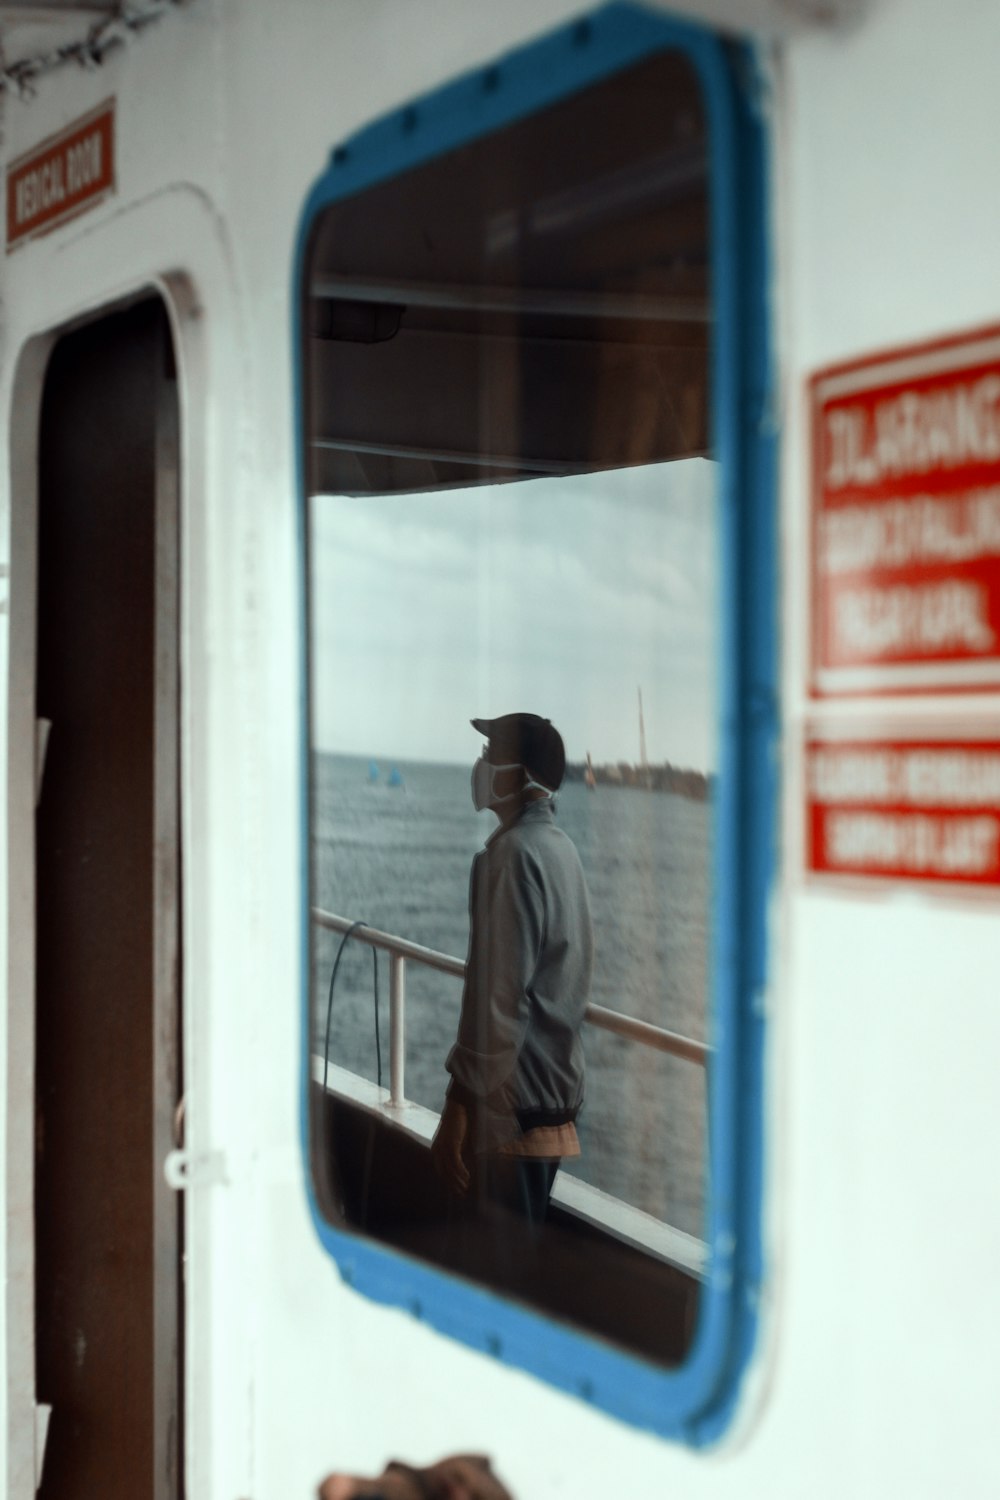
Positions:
{"x": 521, "y": 455}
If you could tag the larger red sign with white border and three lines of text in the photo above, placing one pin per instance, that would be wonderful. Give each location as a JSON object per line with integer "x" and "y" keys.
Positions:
{"x": 906, "y": 520}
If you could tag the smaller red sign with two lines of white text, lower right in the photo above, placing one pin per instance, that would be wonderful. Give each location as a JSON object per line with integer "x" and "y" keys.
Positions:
{"x": 905, "y": 811}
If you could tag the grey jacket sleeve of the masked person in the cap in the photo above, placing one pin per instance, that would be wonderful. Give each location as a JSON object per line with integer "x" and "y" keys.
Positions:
{"x": 506, "y": 929}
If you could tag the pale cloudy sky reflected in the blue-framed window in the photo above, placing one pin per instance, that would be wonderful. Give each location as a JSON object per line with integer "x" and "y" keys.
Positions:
{"x": 552, "y": 596}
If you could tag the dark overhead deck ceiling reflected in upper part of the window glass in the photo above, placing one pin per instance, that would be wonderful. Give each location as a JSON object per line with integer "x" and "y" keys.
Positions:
{"x": 533, "y": 304}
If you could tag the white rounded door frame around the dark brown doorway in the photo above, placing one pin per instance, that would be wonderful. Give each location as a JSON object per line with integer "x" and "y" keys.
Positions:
{"x": 25, "y": 1424}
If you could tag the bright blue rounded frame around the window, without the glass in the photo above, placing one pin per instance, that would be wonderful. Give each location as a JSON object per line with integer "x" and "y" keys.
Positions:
{"x": 695, "y": 1402}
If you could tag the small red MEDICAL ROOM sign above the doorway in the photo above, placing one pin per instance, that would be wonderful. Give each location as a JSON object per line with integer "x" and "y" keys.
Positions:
{"x": 62, "y": 178}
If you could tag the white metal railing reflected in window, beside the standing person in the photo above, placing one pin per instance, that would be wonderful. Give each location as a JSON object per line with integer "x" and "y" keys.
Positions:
{"x": 403, "y": 950}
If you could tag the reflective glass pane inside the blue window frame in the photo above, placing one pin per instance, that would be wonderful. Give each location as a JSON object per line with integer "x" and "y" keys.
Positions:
{"x": 513, "y": 511}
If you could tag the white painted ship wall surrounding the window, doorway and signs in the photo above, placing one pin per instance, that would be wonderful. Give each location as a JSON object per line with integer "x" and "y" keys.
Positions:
{"x": 882, "y": 1310}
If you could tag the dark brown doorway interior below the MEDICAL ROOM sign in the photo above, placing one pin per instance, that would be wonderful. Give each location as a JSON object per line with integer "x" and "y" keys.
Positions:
{"x": 109, "y": 1072}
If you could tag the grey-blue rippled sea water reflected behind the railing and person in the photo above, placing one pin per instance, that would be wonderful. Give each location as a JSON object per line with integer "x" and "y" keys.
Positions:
{"x": 398, "y": 857}
